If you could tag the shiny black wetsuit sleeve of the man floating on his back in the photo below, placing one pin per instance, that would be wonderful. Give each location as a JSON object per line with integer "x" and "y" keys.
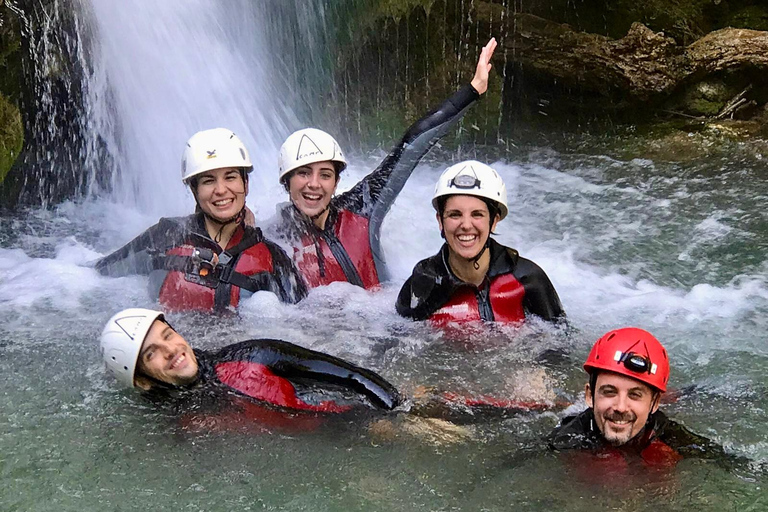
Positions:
{"x": 296, "y": 363}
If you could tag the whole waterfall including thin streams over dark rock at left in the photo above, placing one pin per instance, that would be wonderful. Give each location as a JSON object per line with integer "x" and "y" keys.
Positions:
{"x": 120, "y": 85}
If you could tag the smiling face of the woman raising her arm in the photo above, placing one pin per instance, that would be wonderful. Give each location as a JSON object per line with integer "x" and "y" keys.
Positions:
{"x": 311, "y": 187}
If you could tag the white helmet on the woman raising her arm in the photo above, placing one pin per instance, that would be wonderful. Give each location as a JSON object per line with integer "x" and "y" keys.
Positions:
{"x": 308, "y": 146}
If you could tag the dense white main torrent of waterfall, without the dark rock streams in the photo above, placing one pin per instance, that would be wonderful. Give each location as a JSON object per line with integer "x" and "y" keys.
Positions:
{"x": 164, "y": 70}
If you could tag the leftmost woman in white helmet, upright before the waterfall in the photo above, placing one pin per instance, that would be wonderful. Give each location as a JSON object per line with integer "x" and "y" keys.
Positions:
{"x": 212, "y": 259}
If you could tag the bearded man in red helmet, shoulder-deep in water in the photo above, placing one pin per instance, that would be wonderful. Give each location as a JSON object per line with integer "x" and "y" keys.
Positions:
{"x": 628, "y": 373}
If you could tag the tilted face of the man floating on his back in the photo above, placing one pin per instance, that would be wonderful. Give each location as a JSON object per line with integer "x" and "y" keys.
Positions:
{"x": 166, "y": 356}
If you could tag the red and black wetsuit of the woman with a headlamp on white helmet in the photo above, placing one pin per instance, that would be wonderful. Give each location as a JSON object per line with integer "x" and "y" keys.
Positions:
{"x": 513, "y": 288}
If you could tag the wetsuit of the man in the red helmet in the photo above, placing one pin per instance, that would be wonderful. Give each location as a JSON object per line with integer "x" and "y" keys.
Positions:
{"x": 661, "y": 443}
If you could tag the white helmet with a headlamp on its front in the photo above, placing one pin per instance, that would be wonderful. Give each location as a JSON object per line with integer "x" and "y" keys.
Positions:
{"x": 472, "y": 178}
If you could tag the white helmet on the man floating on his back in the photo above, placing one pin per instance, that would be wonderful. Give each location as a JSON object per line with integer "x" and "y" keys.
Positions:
{"x": 121, "y": 341}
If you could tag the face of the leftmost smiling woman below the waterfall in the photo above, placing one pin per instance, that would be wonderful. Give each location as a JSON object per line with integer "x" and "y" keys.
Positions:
{"x": 221, "y": 193}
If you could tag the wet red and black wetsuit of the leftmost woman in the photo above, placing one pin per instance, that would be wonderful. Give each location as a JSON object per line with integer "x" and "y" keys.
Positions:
{"x": 249, "y": 264}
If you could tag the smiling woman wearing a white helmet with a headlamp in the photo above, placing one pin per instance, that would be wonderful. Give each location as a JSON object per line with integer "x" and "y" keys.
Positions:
{"x": 473, "y": 277}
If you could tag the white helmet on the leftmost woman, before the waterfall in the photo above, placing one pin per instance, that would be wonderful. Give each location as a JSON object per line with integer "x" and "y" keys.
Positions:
{"x": 213, "y": 149}
